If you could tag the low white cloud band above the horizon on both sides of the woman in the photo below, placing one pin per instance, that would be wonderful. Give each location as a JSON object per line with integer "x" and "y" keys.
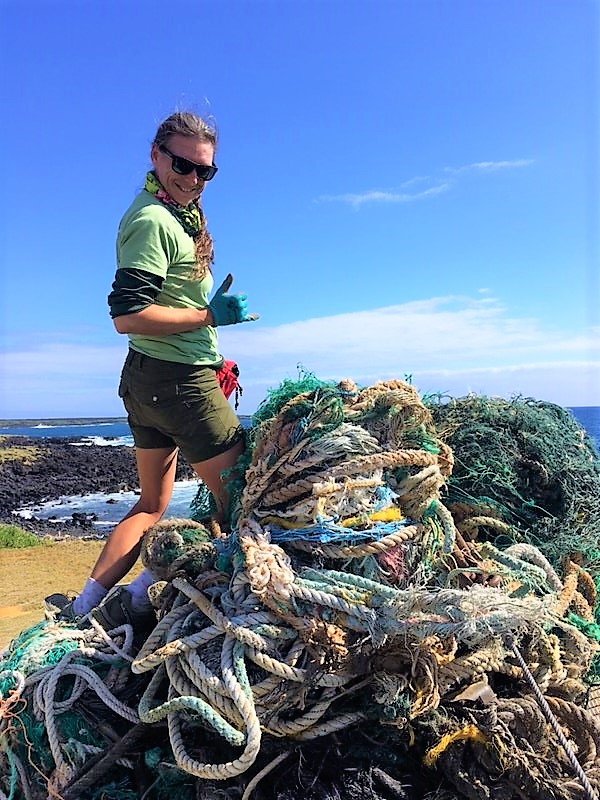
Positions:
{"x": 452, "y": 344}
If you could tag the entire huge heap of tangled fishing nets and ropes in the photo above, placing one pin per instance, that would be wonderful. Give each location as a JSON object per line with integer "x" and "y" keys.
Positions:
{"x": 405, "y": 608}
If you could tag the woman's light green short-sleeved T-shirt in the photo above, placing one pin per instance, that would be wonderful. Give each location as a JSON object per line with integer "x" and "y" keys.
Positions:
{"x": 151, "y": 240}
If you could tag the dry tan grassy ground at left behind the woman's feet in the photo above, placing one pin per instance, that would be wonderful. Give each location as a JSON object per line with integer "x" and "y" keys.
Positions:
{"x": 28, "y": 575}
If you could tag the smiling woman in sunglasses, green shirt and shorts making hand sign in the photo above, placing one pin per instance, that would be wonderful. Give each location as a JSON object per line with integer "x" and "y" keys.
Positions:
{"x": 168, "y": 385}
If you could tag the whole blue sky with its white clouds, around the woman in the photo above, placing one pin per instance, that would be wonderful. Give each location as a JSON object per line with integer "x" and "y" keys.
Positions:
{"x": 404, "y": 188}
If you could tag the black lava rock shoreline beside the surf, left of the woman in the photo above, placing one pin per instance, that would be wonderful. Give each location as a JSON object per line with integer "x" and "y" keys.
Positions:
{"x": 34, "y": 471}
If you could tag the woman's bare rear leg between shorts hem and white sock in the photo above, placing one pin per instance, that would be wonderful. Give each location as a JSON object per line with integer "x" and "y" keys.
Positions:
{"x": 156, "y": 472}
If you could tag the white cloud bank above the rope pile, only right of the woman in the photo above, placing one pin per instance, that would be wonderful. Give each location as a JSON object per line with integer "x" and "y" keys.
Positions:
{"x": 451, "y": 342}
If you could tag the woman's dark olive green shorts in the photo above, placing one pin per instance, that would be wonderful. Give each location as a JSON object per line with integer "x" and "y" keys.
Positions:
{"x": 170, "y": 404}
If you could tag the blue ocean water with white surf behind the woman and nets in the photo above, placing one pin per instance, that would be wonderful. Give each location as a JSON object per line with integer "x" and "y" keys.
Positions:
{"x": 110, "y": 432}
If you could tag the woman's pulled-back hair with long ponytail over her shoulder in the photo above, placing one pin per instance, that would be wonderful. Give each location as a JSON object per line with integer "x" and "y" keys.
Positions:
{"x": 186, "y": 123}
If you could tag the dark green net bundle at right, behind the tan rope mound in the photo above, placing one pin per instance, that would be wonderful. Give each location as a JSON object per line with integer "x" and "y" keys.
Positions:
{"x": 531, "y": 464}
